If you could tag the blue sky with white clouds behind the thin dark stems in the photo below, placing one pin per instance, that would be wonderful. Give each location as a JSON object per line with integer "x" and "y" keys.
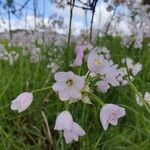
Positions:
{"x": 101, "y": 16}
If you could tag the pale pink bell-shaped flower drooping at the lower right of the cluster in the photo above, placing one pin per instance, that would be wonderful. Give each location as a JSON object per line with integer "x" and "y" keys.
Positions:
{"x": 110, "y": 113}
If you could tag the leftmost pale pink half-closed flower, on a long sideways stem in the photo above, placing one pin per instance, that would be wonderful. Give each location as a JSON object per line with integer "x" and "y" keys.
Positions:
{"x": 22, "y": 102}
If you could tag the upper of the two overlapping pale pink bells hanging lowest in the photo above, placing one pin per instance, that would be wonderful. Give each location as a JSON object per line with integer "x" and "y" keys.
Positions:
{"x": 64, "y": 121}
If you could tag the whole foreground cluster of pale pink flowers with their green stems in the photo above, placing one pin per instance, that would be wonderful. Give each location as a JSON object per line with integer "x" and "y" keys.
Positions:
{"x": 102, "y": 74}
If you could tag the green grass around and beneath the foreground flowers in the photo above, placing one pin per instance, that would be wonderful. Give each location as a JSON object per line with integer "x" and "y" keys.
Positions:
{"x": 27, "y": 130}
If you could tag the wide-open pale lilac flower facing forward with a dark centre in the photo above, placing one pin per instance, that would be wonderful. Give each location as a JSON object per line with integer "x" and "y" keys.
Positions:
{"x": 68, "y": 85}
